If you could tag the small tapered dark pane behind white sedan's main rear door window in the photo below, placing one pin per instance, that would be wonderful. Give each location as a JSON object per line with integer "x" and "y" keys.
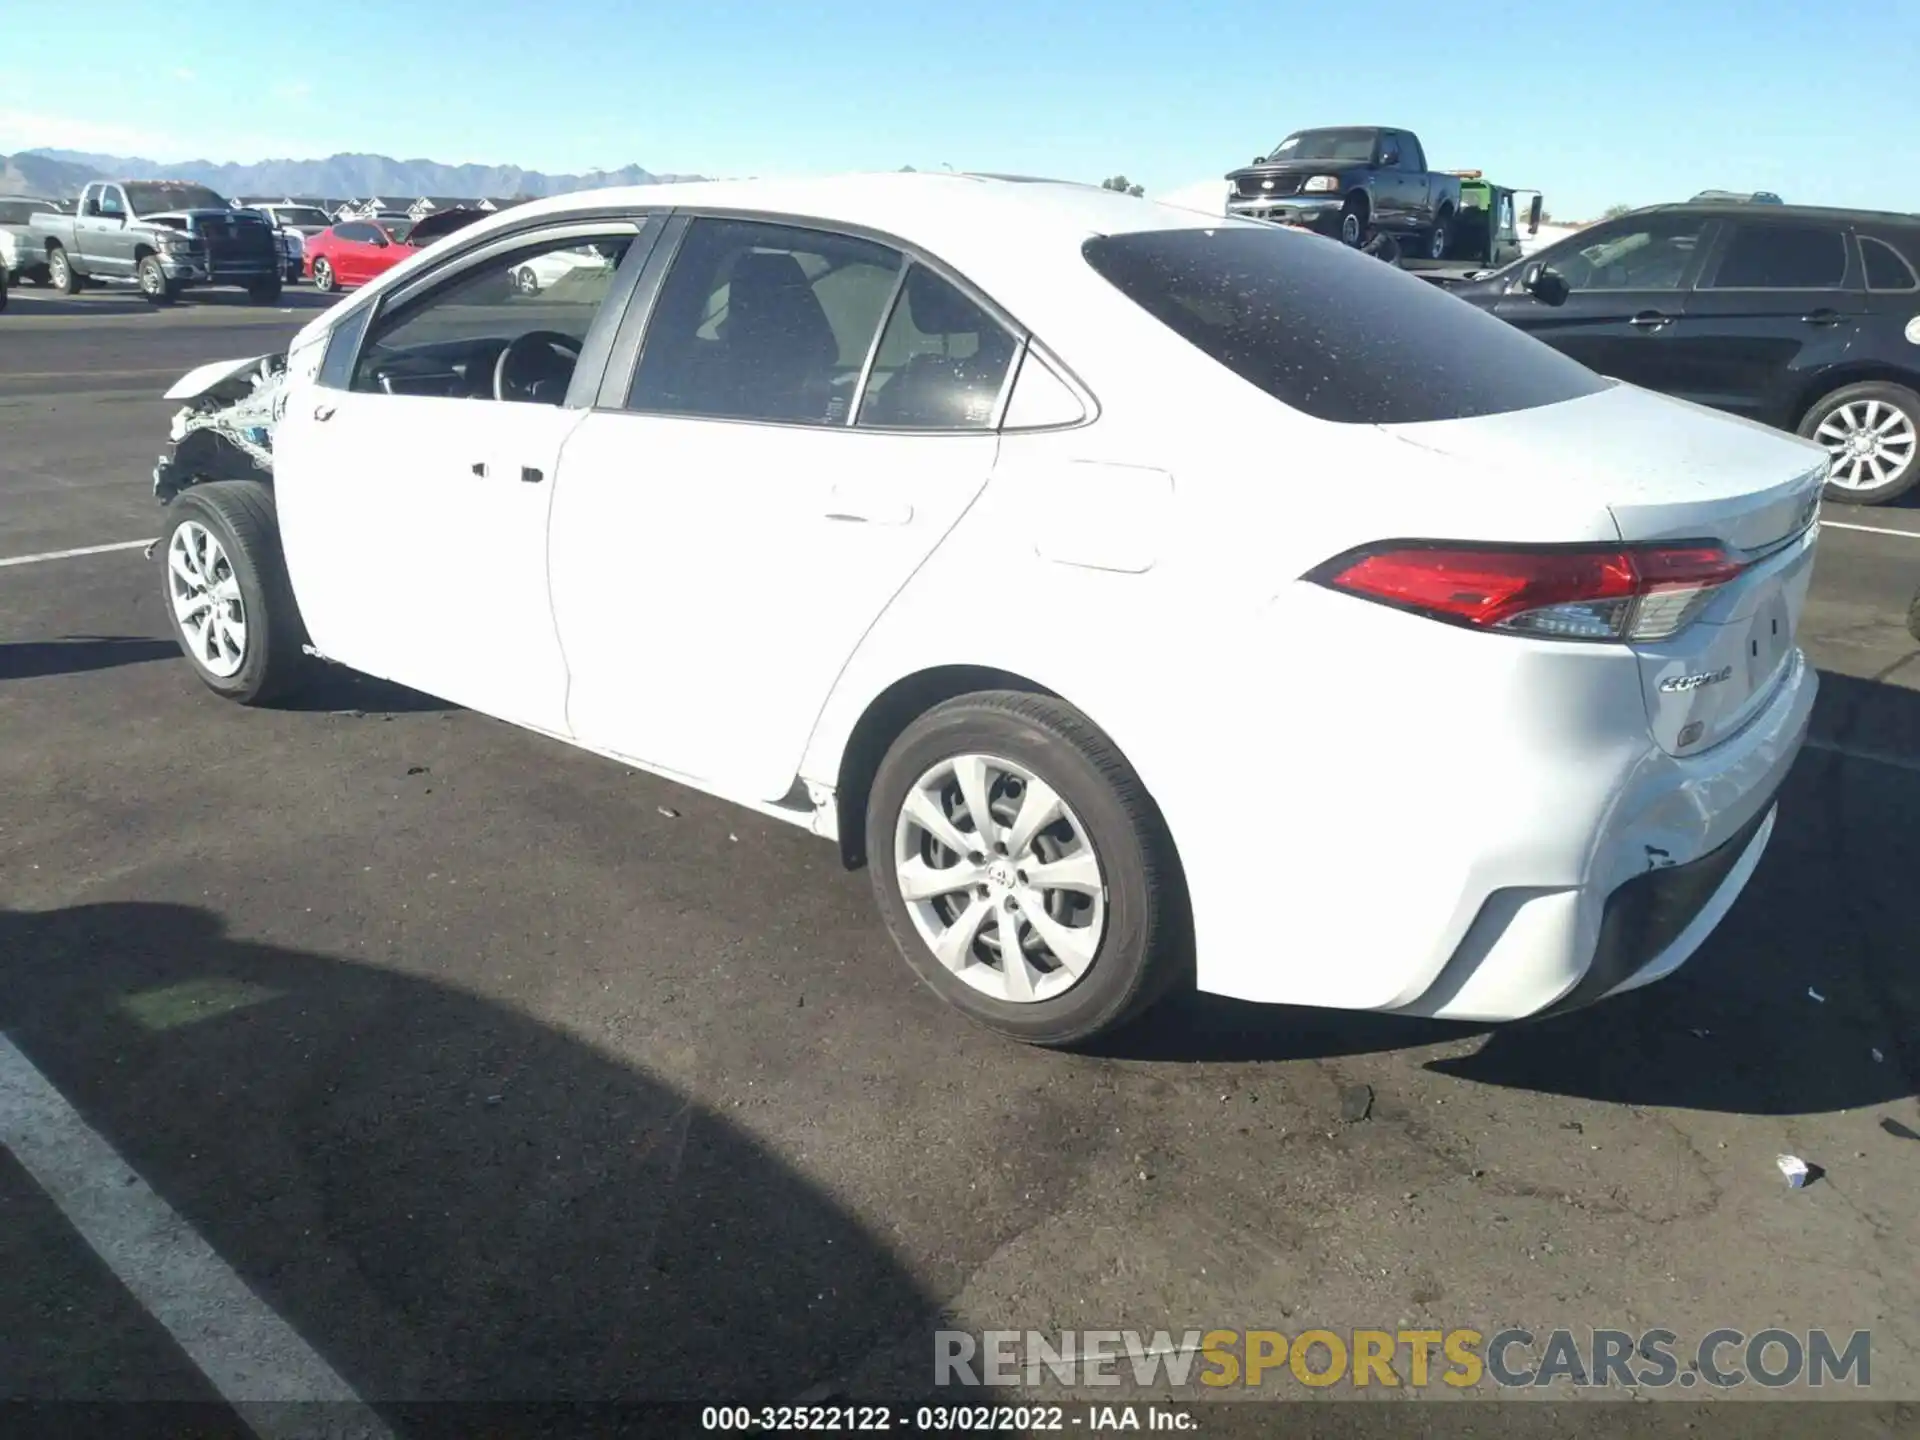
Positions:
{"x": 942, "y": 362}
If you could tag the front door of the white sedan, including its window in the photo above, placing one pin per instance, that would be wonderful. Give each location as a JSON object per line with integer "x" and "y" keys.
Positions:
{"x": 416, "y": 477}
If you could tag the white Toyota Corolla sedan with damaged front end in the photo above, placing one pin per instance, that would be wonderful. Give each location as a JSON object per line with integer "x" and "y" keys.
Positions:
{"x": 1149, "y": 598}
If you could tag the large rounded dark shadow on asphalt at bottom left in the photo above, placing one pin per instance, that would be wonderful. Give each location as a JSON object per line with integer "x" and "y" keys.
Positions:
{"x": 444, "y": 1197}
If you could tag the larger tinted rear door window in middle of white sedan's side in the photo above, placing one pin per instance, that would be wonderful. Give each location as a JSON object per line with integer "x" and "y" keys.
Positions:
{"x": 763, "y": 324}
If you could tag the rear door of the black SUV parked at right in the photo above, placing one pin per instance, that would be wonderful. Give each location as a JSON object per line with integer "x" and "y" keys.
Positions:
{"x": 1779, "y": 302}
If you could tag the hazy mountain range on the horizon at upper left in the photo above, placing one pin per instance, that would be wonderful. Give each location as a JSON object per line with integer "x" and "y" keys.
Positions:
{"x": 345, "y": 178}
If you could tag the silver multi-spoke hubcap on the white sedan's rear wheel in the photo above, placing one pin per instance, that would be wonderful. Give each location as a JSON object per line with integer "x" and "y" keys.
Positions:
{"x": 1001, "y": 878}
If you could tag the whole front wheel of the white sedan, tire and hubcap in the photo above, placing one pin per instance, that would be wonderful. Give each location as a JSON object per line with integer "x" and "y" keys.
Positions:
{"x": 228, "y": 594}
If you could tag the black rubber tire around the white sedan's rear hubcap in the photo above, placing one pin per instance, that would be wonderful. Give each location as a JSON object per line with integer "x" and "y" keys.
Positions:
{"x": 1145, "y": 948}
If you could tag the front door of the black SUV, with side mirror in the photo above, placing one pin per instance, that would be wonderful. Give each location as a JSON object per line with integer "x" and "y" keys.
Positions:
{"x": 1627, "y": 285}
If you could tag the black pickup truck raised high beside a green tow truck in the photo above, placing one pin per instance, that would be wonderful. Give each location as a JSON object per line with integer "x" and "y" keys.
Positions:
{"x": 1351, "y": 183}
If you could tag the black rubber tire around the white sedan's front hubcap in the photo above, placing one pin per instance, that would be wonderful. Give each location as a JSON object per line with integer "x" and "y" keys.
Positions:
{"x": 241, "y": 516}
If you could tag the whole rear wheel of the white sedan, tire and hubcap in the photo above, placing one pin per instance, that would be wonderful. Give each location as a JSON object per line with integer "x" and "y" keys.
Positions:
{"x": 1022, "y": 869}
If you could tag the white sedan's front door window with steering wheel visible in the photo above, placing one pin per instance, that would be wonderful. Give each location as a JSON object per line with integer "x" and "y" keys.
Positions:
{"x": 485, "y": 337}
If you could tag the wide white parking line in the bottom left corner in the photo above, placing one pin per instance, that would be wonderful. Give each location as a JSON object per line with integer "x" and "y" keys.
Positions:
{"x": 266, "y": 1372}
